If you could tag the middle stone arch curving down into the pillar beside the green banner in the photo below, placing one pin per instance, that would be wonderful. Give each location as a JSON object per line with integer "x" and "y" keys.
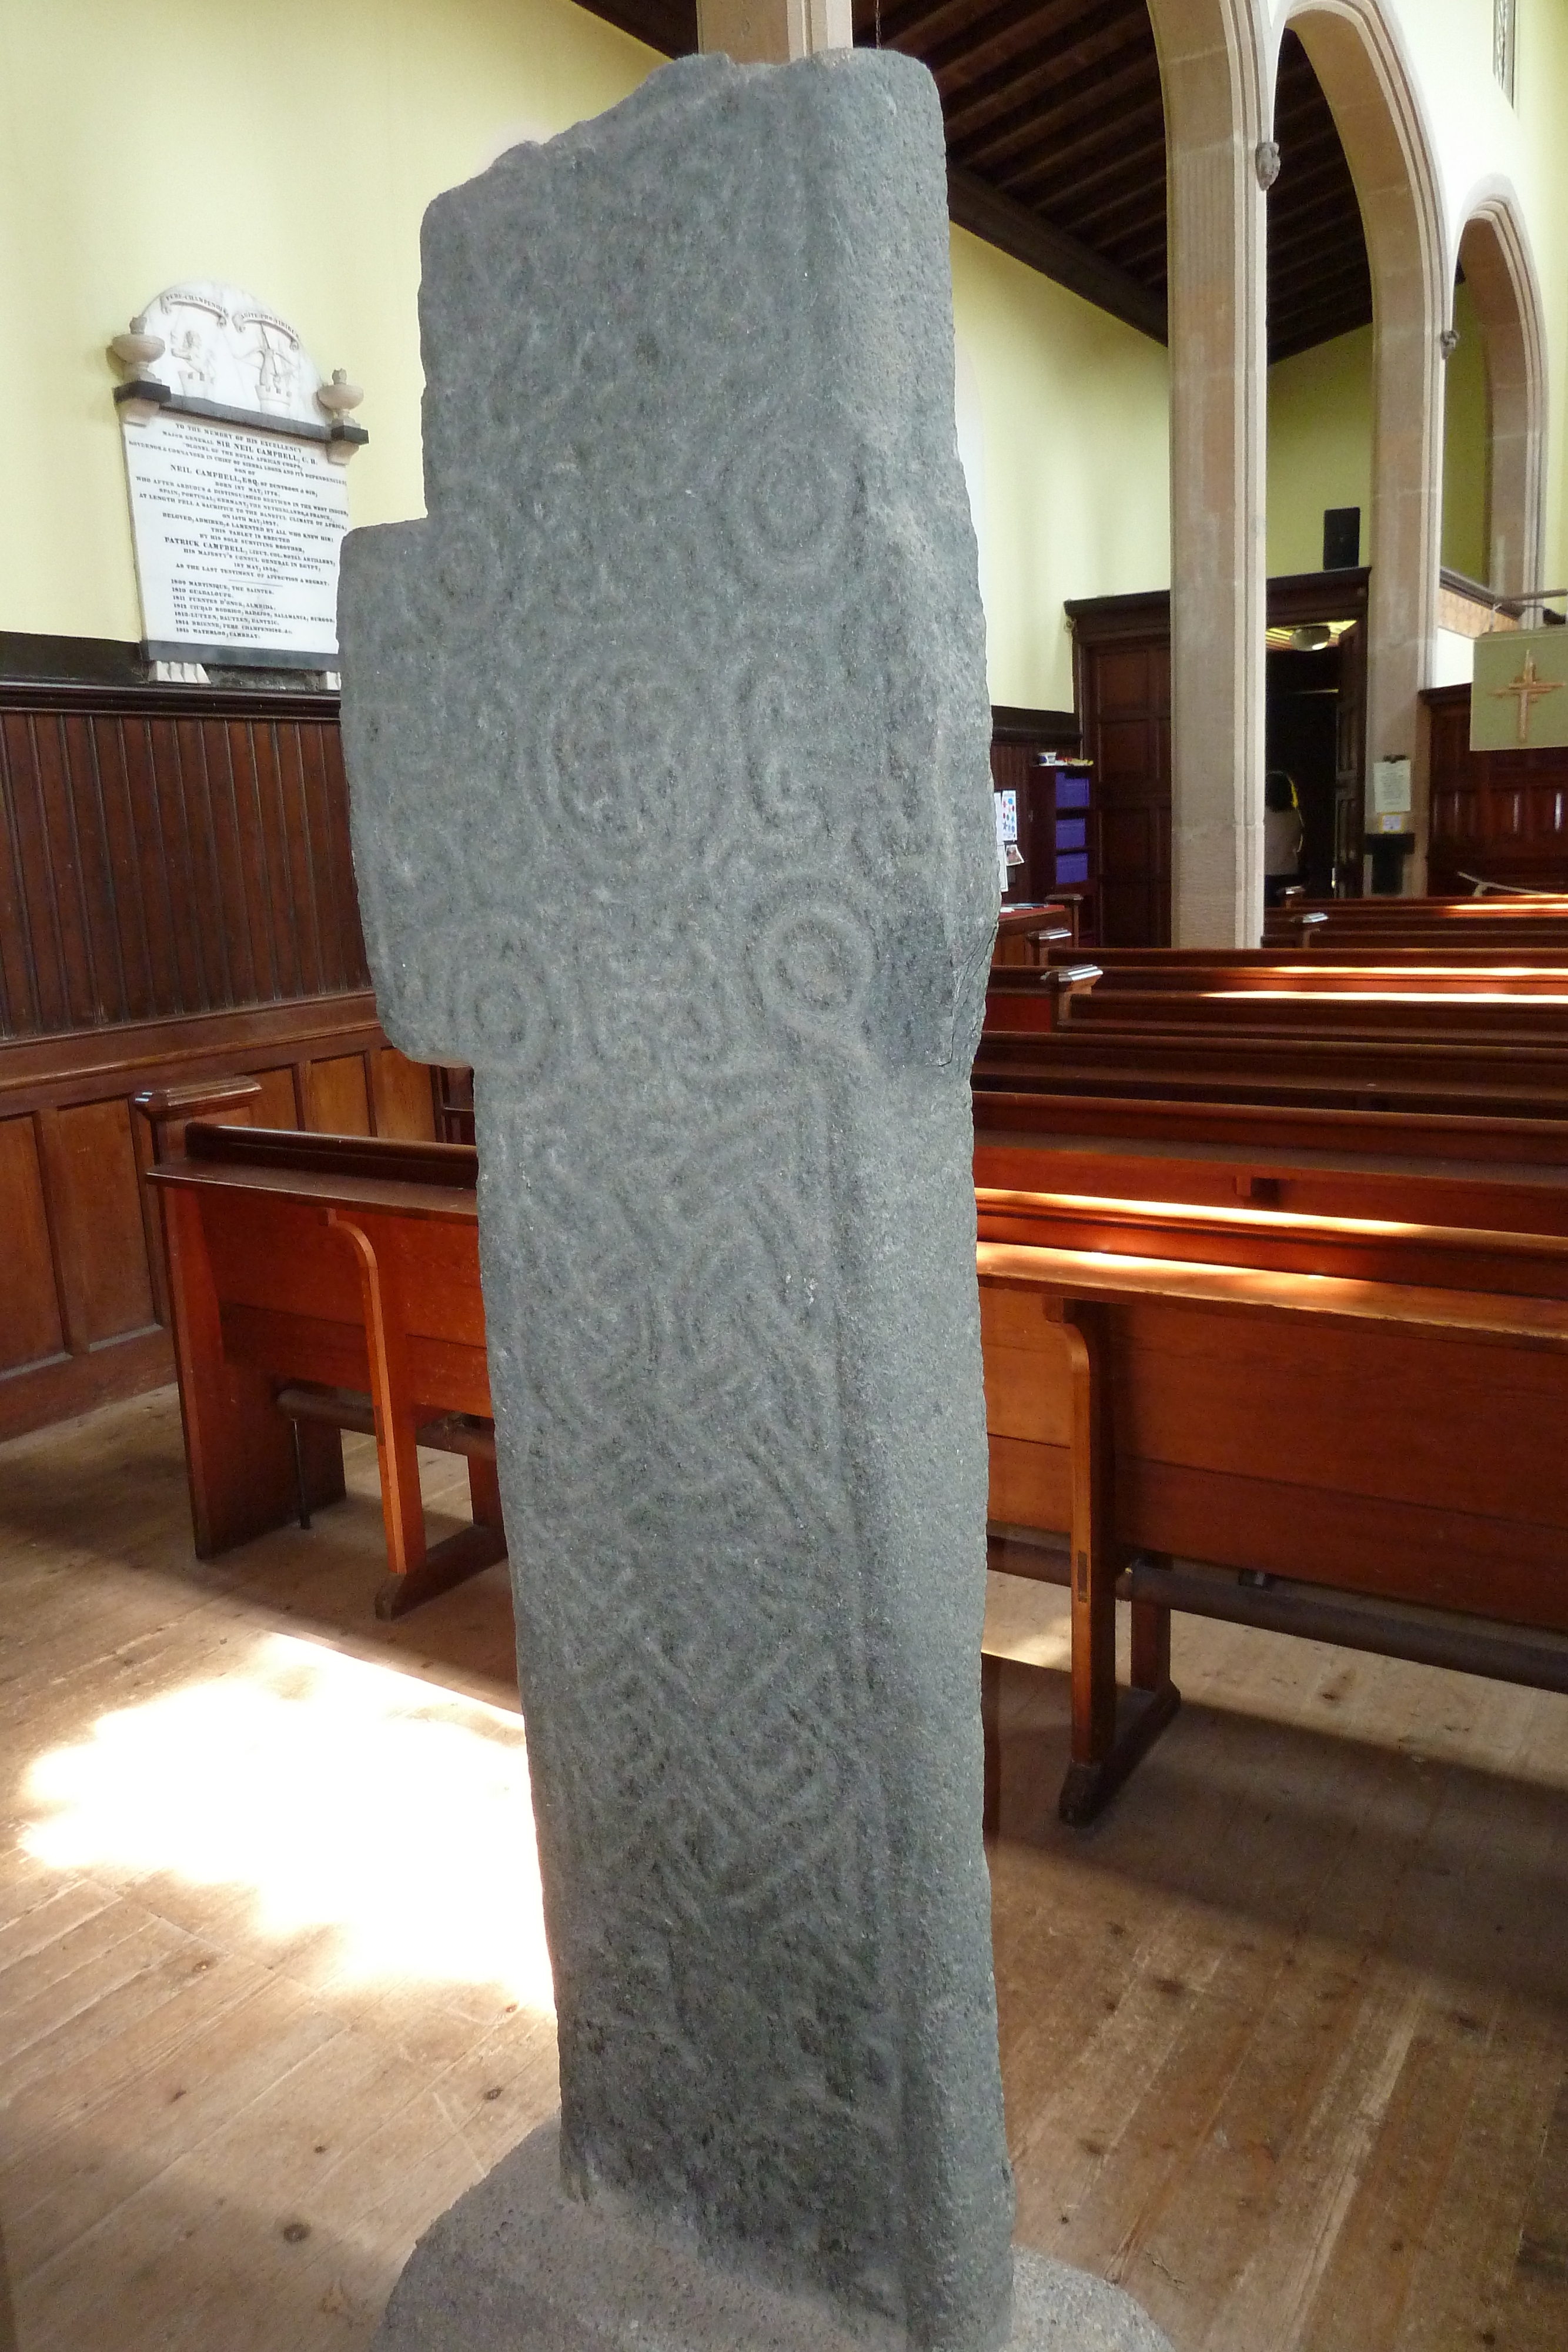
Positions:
{"x": 1365, "y": 76}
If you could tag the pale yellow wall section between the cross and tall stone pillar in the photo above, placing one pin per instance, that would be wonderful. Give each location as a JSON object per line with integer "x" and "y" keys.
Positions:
{"x": 1078, "y": 462}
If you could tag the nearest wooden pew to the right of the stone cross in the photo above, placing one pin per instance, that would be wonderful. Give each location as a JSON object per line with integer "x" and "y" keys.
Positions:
{"x": 1202, "y": 1401}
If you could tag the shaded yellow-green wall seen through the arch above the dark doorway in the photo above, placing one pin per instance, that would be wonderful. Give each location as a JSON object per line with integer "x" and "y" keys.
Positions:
{"x": 1320, "y": 448}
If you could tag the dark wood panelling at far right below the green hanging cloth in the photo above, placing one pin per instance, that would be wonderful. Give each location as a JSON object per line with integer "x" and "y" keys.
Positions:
{"x": 1499, "y": 815}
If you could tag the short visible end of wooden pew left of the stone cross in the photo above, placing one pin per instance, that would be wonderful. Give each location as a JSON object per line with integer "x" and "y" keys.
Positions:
{"x": 326, "y": 1283}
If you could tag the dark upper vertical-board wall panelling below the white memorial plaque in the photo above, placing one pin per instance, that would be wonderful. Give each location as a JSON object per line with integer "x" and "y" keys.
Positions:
{"x": 163, "y": 860}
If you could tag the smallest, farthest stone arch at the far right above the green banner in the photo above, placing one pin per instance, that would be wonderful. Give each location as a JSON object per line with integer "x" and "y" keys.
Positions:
{"x": 1501, "y": 276}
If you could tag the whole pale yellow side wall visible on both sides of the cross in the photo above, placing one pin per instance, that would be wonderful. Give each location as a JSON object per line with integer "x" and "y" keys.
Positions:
{"x": 293, "y": 149}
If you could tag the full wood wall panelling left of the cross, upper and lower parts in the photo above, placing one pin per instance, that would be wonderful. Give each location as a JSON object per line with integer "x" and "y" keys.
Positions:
{"x": 175, "y": 904}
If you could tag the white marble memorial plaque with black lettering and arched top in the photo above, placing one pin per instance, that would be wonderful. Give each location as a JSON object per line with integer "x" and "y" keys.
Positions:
{"x": 236, "y": 467}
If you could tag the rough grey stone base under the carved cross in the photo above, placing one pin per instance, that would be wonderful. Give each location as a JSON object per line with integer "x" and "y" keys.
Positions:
{"x": 518, "y": 2266}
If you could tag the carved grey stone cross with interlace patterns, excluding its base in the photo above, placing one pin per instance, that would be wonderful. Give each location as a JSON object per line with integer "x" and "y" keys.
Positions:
{"x": 669, "y": 761}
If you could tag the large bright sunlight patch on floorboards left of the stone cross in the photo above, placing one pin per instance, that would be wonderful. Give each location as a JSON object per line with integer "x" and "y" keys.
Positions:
{"x": 344, "y": 1793}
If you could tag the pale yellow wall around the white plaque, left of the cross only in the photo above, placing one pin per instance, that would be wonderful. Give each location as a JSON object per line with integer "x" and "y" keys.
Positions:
{"x": 276, "y": 145}
